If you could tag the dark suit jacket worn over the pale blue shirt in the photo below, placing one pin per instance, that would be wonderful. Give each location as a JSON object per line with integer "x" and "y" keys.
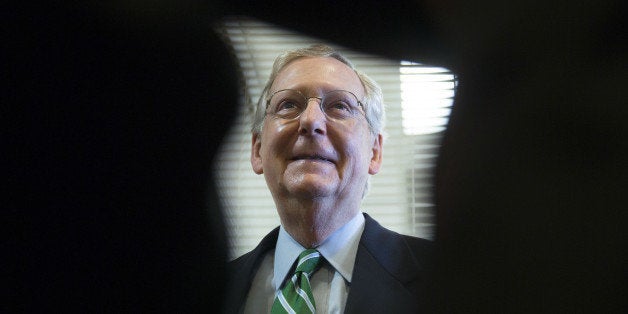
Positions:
{"x": 390, "y": 274}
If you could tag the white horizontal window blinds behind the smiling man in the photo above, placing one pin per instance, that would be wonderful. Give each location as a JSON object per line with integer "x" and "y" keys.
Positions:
{"x": 417, "y": 99}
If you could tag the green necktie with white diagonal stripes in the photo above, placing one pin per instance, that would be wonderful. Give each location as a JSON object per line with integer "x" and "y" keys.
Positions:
{"x": 296, "y": 294}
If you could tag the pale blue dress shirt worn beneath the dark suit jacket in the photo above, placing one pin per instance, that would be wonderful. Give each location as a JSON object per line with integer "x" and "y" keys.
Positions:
{"x": 330, "y": 284}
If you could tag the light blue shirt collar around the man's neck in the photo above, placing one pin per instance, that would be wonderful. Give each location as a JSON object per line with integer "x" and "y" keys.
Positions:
{"x": 339, "y": 249}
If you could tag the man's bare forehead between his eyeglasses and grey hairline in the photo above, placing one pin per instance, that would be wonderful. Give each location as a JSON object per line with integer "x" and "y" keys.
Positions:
{"x": 318, "y": 74}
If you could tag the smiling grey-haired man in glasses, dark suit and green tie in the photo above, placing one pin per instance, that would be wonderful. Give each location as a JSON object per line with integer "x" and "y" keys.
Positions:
{"x": 317, "y": 137}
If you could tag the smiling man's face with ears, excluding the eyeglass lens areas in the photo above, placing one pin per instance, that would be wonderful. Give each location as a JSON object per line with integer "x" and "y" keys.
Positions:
{"x": 313, "y": 156}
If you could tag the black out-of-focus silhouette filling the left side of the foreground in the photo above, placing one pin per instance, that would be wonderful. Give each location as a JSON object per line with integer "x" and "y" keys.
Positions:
{"x": 116, "y": 112}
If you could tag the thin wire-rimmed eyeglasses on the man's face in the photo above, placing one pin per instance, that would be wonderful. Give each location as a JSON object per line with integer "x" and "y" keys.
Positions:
{"x": 288, "y": 104}
